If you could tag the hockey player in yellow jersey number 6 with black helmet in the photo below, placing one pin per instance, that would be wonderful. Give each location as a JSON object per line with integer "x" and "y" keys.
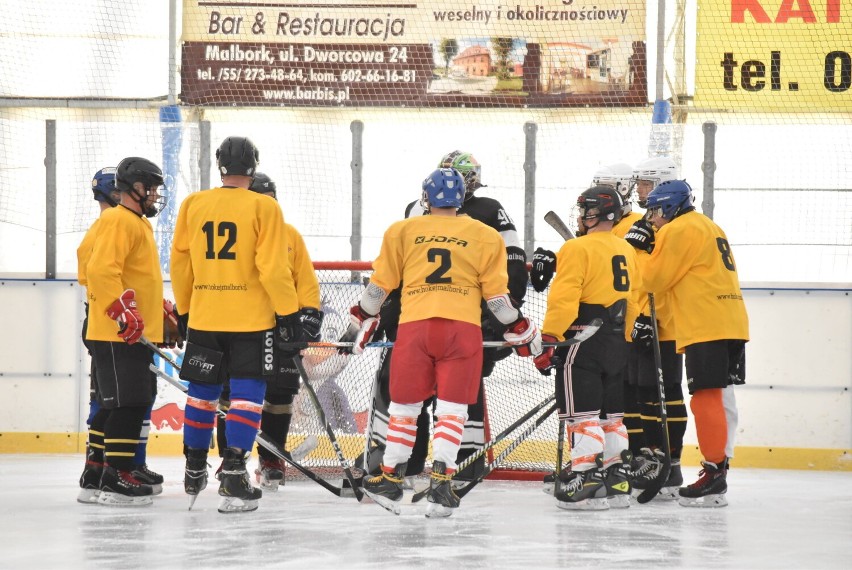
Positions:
{"x": 597, "y": 274}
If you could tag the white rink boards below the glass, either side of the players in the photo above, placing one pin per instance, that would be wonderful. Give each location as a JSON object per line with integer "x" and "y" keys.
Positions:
{"x": 799, "y": 364}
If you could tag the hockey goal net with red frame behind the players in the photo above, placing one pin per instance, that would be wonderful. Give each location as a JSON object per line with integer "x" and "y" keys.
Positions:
{"x": 345, "y": 385}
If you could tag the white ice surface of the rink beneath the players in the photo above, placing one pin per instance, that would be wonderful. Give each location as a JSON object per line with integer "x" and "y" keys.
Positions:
{"x": 776, "y": 519}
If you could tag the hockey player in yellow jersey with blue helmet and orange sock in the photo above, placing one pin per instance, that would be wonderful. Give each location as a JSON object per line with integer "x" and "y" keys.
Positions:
{"x": 690, "y": 260}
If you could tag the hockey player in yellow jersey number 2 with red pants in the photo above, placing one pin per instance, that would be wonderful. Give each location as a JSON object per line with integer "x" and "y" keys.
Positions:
{"x": 446, "y": 264}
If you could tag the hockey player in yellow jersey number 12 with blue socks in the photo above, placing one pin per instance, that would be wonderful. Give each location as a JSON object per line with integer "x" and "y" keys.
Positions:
{"x": 227, "y": 275}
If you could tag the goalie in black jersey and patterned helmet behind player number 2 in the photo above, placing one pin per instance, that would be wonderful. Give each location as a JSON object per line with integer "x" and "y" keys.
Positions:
{"x": 490, "y": 212}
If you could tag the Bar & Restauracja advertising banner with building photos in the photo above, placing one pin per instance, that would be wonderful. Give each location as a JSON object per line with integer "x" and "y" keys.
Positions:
{"x": 425, "y": 53}
